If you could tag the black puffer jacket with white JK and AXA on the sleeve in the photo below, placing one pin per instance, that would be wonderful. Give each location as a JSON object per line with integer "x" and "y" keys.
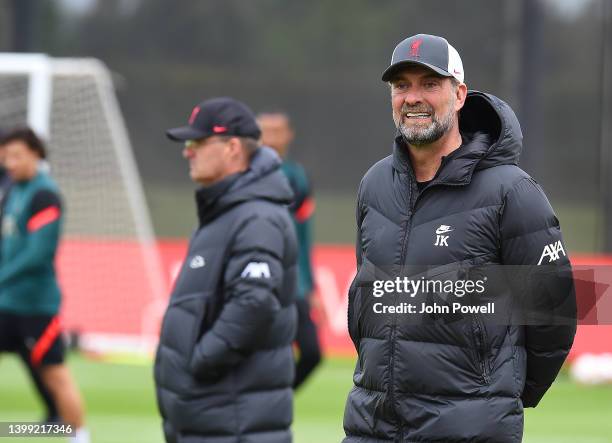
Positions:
{"x": 467, "y": 380}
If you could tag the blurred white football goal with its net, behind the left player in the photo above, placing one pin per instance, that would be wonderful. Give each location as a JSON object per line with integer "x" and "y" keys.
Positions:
{"x": 109, "y": 267}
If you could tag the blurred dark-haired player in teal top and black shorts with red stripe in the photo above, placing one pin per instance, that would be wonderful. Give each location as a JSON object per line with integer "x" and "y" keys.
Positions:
{"x": 29, "y": 294}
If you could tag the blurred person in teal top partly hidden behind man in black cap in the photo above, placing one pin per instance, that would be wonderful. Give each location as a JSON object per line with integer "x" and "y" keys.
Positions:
{"x": 276, "y": 132}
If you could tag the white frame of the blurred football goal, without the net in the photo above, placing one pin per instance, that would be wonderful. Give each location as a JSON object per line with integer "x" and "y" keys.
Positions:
{"x": 40, "y": 69}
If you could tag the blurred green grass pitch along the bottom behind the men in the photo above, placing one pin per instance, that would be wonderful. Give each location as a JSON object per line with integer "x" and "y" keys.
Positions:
{"x": 121, "y": 405}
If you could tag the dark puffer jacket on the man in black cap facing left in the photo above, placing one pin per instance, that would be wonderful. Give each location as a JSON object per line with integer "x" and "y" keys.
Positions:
{"x": 224, "y": 367}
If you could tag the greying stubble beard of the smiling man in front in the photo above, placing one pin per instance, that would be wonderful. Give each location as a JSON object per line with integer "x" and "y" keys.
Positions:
{"x": 421, "y": 136}
